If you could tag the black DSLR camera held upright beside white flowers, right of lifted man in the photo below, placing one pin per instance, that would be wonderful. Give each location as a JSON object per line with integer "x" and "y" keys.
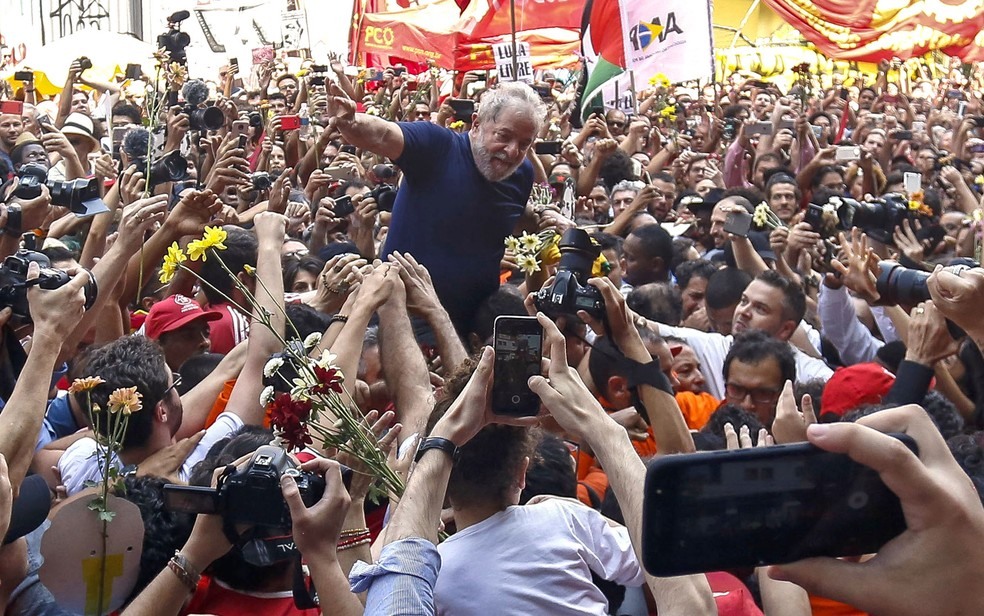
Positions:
{"x": 570, "y": 290}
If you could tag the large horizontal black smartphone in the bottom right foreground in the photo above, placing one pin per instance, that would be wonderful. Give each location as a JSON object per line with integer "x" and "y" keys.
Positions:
{"x": 749, "y": 507}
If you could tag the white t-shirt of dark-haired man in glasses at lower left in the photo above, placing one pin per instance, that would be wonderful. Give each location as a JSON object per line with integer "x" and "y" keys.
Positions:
{"x": 80, "y": 463}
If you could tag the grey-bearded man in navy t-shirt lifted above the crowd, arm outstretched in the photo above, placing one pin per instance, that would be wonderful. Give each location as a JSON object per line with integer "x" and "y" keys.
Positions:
{"x": 462, "y": 193}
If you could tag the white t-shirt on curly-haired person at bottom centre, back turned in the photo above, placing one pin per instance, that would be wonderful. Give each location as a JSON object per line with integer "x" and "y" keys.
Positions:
{"x": 534, "y": 559}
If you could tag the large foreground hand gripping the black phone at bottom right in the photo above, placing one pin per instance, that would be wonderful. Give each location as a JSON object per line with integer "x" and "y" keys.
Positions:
{"x": 936, "y": 560}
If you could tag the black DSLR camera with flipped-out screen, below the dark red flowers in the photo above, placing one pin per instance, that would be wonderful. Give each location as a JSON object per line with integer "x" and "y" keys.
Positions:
{"x": 250, "y": 495}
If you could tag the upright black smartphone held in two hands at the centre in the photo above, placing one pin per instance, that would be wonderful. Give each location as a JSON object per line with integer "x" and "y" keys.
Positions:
{"x": 518, "y": 344}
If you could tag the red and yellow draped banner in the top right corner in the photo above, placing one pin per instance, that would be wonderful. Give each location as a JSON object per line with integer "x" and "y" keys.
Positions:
{"x": 873, "y": 30}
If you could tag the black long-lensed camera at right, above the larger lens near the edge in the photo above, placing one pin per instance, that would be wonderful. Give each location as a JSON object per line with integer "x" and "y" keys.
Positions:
{"x": 878, "y": 218}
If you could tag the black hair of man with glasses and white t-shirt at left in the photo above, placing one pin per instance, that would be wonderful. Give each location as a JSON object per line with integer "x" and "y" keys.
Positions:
{"x": 127, "y": 362}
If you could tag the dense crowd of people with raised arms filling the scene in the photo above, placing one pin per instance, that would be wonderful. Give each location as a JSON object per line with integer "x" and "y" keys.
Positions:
{"x": 771, "y": 267}
